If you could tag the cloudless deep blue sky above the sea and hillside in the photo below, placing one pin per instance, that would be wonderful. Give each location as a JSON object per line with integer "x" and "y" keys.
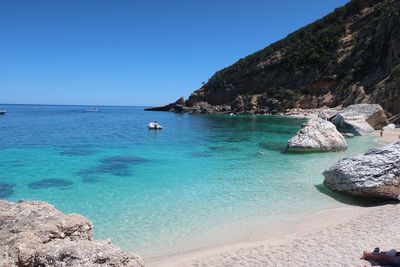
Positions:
{"x": 143, "y": 52}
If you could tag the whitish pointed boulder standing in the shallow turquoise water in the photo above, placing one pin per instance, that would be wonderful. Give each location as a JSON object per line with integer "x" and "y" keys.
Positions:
{"x": 317, "y": 135}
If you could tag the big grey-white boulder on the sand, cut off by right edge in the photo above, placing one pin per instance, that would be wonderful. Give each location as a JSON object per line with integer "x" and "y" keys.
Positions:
{"x": 374, "y": 174}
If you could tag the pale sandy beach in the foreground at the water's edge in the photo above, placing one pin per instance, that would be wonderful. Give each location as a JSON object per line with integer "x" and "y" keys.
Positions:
{"x": 335, "y": 237}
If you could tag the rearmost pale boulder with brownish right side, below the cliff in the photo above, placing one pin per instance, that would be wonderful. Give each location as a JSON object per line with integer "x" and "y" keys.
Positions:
{"x": 372, "y": 113}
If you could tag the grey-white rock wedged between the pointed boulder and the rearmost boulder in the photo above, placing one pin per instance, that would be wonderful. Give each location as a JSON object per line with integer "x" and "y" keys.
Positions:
{"x": 351, "y": 122}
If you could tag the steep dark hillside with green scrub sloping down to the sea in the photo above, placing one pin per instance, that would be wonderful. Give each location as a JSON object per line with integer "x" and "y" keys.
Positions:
{"x": 350, "y": 56}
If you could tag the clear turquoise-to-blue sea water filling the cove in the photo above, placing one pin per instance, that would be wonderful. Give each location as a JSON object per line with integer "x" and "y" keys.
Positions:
{"x": 155, "y": 191}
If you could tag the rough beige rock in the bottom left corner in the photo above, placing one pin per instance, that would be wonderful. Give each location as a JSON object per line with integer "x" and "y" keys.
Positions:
{"x": 37, "y": 234}
